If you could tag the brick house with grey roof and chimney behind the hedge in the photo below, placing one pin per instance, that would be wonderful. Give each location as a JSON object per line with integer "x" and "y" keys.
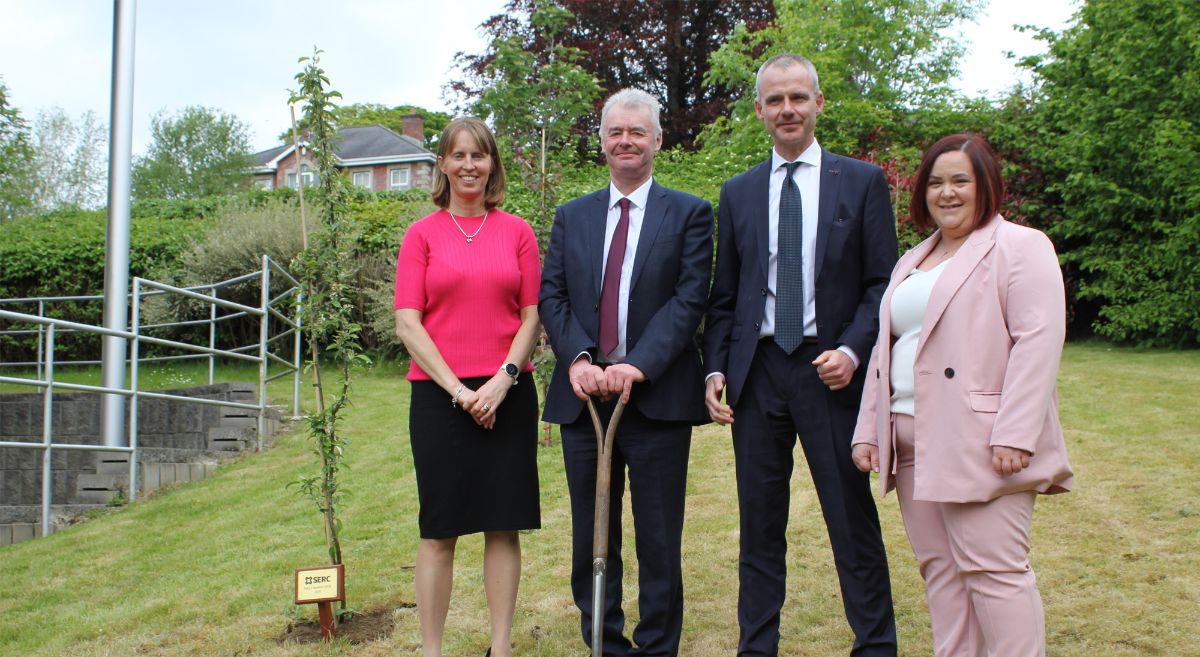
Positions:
{"x": 373, "y": 156}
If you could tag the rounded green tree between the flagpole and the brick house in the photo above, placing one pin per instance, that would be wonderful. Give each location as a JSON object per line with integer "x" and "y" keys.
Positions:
{"x": 197, "y": 153}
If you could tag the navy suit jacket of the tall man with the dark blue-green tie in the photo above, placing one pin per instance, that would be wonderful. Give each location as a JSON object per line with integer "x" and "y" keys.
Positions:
{"x": 856, "y": 251}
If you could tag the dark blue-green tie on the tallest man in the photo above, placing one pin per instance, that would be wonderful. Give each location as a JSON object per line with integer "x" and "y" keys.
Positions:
{"x": 790, "y": 267}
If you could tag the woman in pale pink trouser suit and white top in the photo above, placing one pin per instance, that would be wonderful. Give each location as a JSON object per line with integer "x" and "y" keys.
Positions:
{"x": 959, "y": 413}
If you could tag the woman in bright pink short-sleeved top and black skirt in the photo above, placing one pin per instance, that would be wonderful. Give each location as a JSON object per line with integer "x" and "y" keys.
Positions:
{"x": 467, "y": 311}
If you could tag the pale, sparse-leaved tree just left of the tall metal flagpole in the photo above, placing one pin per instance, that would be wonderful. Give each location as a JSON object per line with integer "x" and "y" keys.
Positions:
{"x": 69, "y": 161}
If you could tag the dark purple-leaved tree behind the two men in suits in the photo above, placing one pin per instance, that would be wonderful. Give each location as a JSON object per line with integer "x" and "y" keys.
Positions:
{"x": 661, "y": 46}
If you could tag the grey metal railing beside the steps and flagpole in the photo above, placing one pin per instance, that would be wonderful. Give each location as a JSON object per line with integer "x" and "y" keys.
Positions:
{"x": 47, "y": 329}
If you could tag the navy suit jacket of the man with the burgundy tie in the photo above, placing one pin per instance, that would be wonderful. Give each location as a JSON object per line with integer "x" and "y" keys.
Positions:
{"x": 667, "y": 302}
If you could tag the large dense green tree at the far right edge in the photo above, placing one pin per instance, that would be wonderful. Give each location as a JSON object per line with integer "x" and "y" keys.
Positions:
{"x": 1118, "y": 130}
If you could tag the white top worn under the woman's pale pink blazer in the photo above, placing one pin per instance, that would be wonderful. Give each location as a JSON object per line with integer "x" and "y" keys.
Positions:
{"x": 909, "y": 304}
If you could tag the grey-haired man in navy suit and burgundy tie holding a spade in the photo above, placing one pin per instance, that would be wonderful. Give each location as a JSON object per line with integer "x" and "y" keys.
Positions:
{"x": 625, "y": 287}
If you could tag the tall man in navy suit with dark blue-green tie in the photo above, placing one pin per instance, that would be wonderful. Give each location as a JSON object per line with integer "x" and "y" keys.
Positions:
{"x": 806, "y": 249}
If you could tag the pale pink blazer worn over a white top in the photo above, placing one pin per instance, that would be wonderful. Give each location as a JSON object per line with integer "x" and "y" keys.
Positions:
{"x": 987, "y": 363}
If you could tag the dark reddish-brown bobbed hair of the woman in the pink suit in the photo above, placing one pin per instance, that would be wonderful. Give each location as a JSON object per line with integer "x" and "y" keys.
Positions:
{"x": 989, "y": 184}
